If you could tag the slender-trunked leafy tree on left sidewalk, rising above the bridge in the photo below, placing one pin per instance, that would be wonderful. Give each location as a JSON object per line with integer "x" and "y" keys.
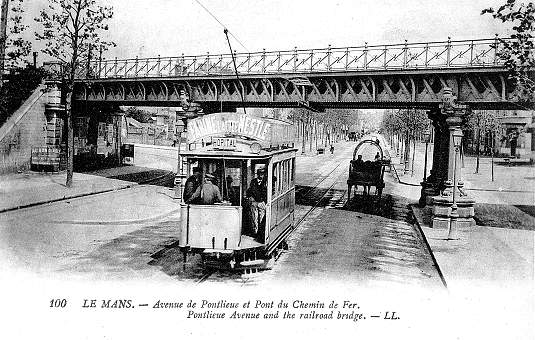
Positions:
{"x": 71, "y": 30}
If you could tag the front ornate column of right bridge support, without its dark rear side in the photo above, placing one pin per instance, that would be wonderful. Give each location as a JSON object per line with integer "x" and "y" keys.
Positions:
{"x": 454, "y": 114}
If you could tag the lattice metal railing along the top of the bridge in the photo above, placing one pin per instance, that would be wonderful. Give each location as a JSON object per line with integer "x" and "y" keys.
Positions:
{"x": 430, "y": 55}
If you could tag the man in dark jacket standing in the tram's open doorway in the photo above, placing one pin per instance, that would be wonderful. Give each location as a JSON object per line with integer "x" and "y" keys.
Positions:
{"x": 256, "y": 198}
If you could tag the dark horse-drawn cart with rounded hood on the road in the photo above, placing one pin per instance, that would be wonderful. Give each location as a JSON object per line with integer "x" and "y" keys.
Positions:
{"x": 367, "y": 173}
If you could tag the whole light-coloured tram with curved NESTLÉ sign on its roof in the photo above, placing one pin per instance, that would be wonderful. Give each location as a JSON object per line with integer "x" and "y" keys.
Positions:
{"x": 231, "y": 150}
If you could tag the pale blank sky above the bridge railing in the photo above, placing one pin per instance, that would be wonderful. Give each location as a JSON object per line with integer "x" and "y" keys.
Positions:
{"x": 148, "y": 28}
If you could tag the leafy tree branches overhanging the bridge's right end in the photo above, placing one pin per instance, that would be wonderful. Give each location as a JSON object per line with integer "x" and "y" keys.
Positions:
{"x": 518, "y": 53}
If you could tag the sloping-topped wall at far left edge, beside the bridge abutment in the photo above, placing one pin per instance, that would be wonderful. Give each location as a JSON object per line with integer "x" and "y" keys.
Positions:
{"x": 25, "y": 129}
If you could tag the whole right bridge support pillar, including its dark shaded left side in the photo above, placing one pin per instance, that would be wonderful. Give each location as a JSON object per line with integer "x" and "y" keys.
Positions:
{"x": 447, "y": 168}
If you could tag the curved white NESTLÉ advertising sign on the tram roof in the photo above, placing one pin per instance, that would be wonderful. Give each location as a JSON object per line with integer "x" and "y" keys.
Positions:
{"x": 237, "y": 124}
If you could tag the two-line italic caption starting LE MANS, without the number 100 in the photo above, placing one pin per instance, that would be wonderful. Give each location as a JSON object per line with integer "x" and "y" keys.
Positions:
{"x": 293, "y": 309}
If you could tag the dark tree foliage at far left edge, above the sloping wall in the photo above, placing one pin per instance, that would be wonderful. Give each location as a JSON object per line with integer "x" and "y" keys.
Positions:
{"x": 13, "y": 47}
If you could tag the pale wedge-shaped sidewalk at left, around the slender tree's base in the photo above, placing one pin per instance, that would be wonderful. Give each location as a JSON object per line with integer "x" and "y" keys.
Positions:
{"x": 33, "y": 188}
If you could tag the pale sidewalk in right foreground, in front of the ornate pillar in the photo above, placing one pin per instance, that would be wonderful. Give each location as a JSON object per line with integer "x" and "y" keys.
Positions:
{"x": 482, "y": 256}
